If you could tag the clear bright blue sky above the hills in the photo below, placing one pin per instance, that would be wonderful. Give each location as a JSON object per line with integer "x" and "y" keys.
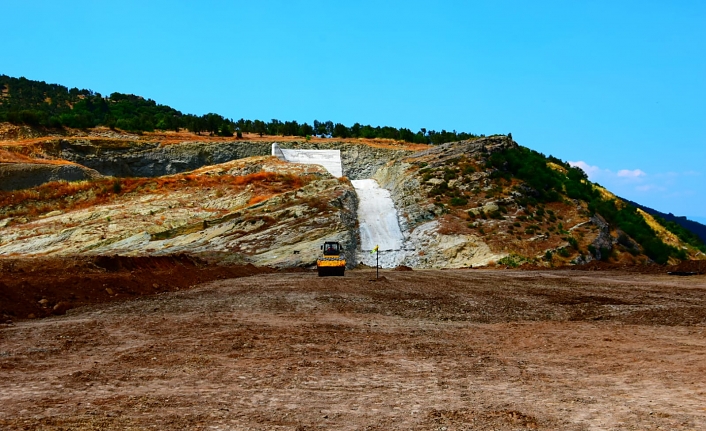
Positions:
{"x": 618, "y": 87}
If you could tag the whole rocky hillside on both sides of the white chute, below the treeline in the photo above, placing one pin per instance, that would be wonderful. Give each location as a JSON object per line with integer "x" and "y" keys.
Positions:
{"x": 468, "y": 203}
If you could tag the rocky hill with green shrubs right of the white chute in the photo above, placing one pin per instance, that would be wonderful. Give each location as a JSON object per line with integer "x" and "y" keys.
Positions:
{"x": 522, "y": 206}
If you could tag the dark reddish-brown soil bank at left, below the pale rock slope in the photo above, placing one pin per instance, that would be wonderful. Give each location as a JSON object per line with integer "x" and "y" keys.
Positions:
{"x": 32, "y": 288}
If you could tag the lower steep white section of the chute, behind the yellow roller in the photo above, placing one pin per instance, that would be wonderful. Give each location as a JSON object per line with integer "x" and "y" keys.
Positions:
{"x": 377, "y": 218}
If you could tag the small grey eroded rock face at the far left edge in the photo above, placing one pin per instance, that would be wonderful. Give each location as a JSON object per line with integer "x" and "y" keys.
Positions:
{"x": 17, "y": 176}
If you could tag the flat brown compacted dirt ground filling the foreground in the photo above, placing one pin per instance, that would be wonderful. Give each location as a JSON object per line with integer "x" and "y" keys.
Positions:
{"x": 426, "y": 350}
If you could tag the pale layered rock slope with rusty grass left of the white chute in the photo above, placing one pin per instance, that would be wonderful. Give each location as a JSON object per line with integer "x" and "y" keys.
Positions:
{"x": 256, "y": 210}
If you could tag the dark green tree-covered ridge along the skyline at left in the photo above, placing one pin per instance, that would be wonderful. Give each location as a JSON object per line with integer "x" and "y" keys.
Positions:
{"x": 38, "y": 104}
